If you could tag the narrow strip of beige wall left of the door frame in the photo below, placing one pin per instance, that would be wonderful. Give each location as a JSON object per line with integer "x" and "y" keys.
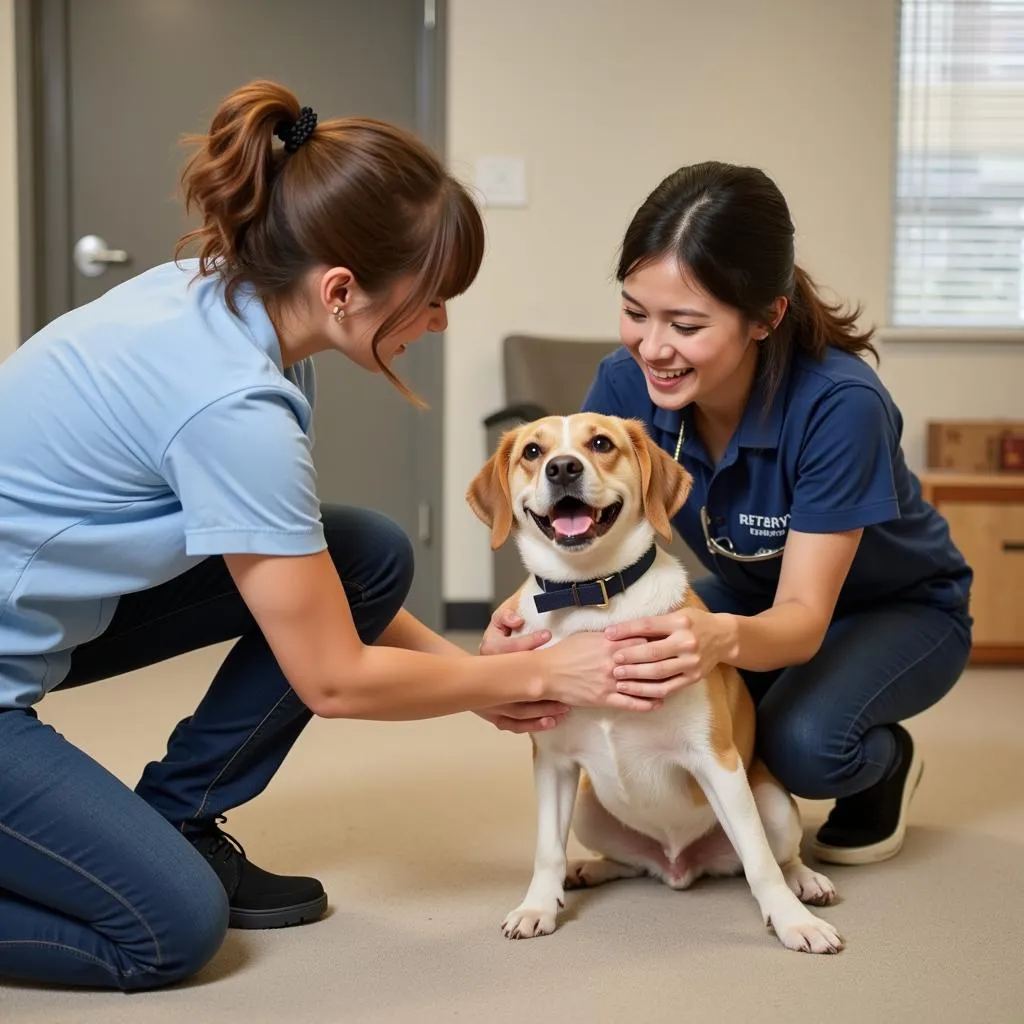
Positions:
{"x": 9, "y": 186}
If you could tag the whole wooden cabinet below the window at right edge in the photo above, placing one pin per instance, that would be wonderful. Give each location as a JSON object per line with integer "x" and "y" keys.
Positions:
{"x": 986, "y": 514}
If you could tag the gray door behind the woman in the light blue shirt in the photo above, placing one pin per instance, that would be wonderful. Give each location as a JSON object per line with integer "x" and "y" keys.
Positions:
{"x": 139, "y": 75}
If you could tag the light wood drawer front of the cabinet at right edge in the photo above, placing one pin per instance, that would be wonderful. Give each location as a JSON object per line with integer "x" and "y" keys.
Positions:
{"x": 992, "y": 537}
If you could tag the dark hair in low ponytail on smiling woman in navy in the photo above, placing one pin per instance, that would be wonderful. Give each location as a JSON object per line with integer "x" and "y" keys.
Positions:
{"x": 731, "y": 229}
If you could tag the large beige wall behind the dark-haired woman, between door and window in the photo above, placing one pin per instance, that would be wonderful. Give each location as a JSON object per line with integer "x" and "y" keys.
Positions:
{"x": 603, "y": 99}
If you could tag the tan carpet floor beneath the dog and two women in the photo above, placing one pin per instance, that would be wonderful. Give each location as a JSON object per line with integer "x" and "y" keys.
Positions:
{"x": 423, "y": 835}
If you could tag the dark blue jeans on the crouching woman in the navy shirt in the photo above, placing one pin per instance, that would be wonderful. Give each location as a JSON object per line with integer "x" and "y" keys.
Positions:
{"x": 822, "y": 727}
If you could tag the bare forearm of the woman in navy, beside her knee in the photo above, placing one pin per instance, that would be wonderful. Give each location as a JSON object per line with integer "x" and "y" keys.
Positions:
{"x": 787, "y": 634}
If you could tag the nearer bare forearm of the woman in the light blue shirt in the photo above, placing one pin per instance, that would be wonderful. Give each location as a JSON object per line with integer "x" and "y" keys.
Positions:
{"x": 392, "y": 685}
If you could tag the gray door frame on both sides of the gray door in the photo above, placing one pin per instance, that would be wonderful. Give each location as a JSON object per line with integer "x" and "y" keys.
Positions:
{"x": 46, "y": 228}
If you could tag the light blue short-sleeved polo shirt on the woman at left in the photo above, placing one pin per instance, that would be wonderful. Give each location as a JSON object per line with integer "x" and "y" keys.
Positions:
{"x": 140, "y": 435}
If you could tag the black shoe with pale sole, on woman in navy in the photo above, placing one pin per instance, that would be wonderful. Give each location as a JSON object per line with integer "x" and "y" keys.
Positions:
{"x": 870, "y": 827}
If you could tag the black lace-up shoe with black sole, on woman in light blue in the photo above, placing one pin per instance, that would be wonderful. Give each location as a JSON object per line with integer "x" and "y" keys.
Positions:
{"x": 258, "y": 899}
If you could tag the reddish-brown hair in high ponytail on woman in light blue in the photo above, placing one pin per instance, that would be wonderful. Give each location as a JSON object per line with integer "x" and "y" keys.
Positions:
{"x": 361, "y": 194}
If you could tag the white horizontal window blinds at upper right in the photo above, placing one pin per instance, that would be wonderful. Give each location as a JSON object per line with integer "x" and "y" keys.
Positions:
{"x": 959, "y": 257}
